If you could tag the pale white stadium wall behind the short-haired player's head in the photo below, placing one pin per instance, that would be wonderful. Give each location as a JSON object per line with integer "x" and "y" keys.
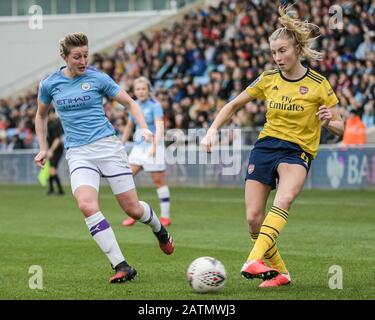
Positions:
{"x": 27, "y": 54}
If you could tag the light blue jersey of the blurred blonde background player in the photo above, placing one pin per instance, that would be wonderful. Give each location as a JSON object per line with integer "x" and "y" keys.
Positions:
{"x": 151, "y": 110}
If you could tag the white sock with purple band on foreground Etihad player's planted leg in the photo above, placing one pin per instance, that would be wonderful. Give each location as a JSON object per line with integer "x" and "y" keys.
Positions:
{"x": 104, "y": 236}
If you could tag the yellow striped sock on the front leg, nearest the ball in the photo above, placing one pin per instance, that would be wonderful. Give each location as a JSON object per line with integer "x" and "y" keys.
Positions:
{"x": 272, "y": 226}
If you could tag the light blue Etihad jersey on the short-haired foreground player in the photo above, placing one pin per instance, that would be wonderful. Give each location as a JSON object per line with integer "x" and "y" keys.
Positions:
{"x": 79, "y": 103}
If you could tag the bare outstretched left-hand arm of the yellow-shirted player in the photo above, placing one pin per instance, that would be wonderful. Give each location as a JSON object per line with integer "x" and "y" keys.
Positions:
{"x": 224, "y": 115}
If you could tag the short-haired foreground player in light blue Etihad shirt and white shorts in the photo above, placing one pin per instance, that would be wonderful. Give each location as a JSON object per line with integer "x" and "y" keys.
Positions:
{"x": 93, "y": 150}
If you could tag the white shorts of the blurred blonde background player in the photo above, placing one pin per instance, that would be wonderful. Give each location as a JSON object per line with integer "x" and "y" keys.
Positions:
{"x": 139, "y": 157}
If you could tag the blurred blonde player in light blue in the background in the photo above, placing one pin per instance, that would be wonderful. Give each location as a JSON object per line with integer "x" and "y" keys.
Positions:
{"x": 145, "y": 155}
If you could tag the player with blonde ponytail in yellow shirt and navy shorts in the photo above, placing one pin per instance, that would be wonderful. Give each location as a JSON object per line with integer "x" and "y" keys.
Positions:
{"x": 299, "y": 102}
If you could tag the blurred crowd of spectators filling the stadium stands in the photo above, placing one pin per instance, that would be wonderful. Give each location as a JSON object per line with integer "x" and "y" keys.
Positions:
{"x": 208, "y": 58}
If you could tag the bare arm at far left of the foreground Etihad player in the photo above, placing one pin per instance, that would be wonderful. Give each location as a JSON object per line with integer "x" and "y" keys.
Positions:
{"x": 41, "y": 133}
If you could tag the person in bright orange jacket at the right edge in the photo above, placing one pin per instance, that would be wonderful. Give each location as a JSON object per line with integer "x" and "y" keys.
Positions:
{"x": 355, "y": 130}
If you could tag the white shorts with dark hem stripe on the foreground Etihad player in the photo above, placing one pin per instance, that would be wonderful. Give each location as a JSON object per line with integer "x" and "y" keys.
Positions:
{"x": 105, "y": 158}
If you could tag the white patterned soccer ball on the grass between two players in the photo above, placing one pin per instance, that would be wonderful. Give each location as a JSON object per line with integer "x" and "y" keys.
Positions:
{"x": 206, "y": 274}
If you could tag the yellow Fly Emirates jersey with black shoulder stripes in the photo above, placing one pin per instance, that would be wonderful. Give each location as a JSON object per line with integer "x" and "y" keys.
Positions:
{"x": 292, "y": 106}
